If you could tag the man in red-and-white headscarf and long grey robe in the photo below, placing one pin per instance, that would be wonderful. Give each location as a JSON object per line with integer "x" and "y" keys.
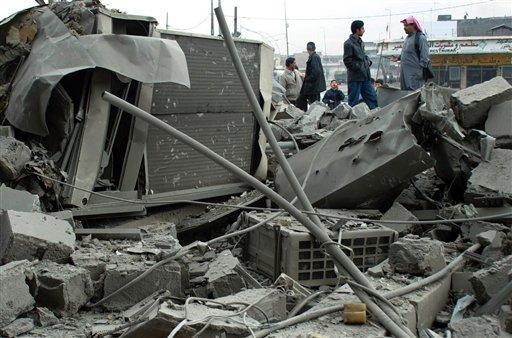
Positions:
{"x": 414, "y": 60}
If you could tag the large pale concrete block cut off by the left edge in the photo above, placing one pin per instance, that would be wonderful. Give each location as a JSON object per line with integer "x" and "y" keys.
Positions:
{"x": 31, "y": 235}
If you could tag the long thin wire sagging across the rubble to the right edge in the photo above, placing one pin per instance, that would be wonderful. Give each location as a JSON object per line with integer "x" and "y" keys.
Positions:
{"x": 320, "y": 214}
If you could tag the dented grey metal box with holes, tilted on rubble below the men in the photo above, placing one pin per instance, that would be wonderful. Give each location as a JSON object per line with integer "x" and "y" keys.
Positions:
{"x": 365, "y": 164}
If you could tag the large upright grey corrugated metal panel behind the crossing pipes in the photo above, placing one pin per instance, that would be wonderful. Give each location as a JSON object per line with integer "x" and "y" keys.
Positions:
{"x": 214, "y": 111}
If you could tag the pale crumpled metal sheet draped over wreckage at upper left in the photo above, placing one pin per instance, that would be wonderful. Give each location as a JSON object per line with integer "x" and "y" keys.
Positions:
{"x": 56, "y": 53}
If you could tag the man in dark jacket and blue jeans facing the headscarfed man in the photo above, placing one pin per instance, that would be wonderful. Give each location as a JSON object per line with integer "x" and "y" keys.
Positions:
{"x": 358, "y": 68}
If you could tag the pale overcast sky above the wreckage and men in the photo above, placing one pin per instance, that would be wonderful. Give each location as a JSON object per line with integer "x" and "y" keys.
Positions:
{"x": 326, "y": 22}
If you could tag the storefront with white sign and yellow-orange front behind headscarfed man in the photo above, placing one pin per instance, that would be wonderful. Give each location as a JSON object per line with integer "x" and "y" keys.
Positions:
{"x": 464, "y": 61}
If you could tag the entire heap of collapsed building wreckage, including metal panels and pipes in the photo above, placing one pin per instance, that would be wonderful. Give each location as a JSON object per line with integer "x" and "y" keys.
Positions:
{"x": 116, "y": 221}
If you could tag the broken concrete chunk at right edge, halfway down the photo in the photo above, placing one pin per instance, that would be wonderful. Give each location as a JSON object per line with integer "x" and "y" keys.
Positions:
{"x": 493, "y": 177}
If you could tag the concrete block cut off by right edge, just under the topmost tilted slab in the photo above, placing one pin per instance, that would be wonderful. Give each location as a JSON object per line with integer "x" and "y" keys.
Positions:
{"x": 499, "y": 122}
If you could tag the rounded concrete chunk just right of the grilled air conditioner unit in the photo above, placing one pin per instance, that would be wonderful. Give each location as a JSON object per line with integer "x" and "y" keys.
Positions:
{"x": 416, "y": 256}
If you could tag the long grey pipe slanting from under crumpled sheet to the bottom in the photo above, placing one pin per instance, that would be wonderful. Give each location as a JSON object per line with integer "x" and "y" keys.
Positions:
{"x": 319, "y": 233}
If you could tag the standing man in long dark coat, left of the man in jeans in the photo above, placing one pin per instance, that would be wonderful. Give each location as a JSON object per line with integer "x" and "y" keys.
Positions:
{"x": 314, "y": 79}
